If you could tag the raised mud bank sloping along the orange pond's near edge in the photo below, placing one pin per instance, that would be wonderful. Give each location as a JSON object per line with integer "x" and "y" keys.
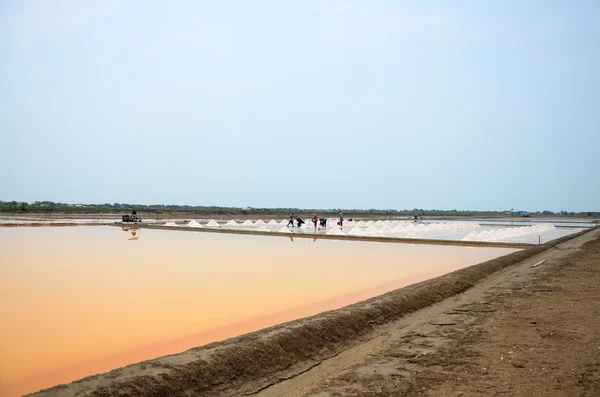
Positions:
{"x": 251, "y": 362}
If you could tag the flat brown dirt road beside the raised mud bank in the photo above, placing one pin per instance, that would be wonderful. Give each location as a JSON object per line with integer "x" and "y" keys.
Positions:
{"x": 526, "y": 330}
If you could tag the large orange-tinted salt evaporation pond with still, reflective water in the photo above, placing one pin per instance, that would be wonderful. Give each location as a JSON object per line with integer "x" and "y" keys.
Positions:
{"x": 76, "y": 301}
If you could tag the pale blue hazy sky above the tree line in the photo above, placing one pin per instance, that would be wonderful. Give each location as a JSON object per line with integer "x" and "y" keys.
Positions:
{"x": 309, "y": 104}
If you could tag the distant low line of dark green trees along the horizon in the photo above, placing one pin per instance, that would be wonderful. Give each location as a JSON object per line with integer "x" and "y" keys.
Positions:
{"x": 50, "y": 207}
